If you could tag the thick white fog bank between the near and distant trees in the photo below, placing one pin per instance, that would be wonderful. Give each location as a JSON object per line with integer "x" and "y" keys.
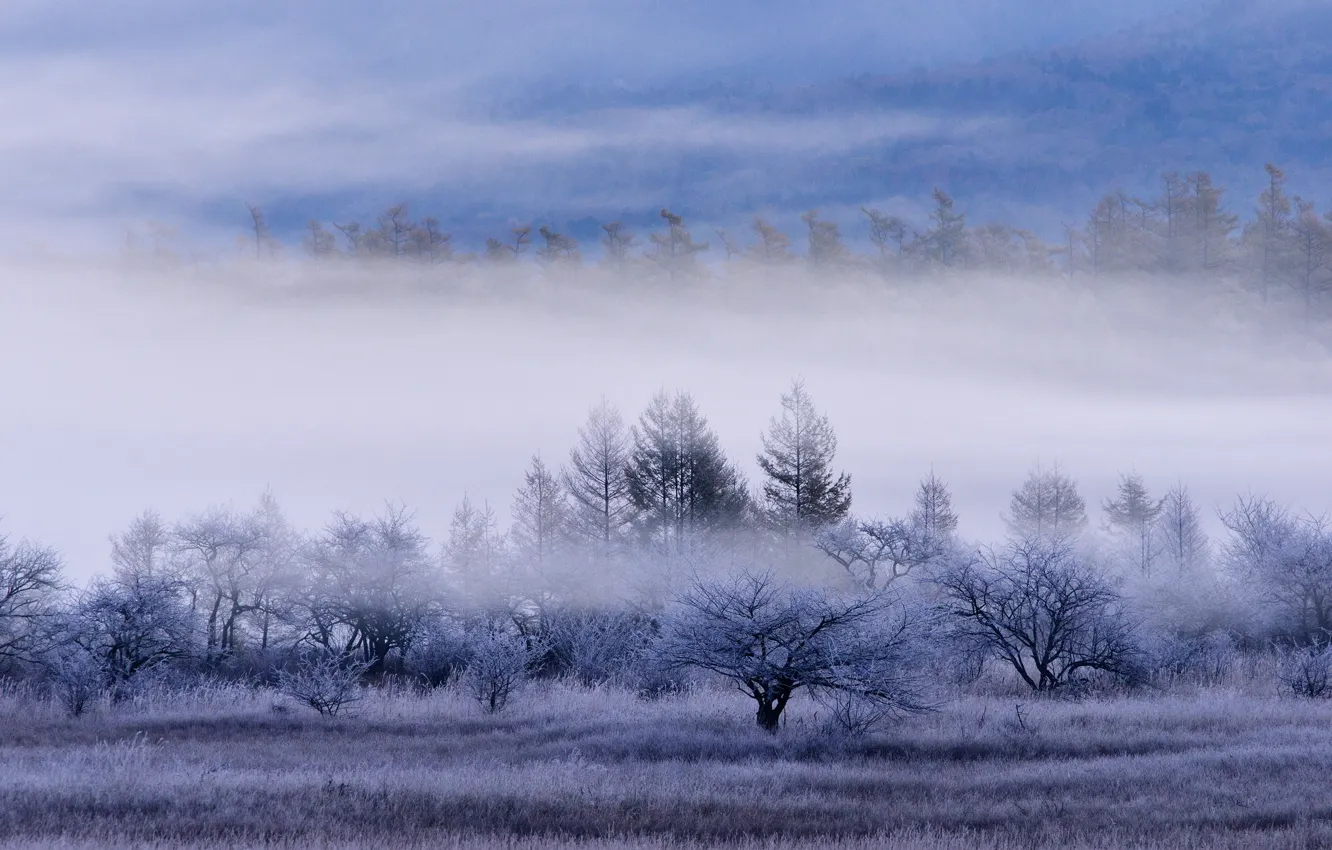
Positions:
{"x": 339, "y": 388}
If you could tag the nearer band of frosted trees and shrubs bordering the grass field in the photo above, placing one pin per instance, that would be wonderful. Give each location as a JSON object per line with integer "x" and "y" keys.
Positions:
{"x": 647, "y": 559}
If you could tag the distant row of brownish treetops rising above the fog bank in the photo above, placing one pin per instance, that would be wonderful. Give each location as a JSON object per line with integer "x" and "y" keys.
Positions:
{"x": 1279, "y": 246}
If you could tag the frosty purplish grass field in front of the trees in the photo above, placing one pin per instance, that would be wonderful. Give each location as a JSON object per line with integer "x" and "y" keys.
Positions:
{"x": 220, "y": 768}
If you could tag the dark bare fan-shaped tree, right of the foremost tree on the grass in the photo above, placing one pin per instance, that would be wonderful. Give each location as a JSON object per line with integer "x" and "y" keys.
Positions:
{"x": 1044, "y": 610}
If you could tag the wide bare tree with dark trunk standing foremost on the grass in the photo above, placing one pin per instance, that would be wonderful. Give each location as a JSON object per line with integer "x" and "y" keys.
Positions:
{"x": 772, "y": 640}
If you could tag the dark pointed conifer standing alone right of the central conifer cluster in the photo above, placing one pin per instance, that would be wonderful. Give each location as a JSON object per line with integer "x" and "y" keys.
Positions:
{"x": 801, "y": 491}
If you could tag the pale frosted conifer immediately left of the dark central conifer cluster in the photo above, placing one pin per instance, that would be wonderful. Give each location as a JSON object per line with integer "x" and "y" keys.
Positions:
{"x": 600, "y": 511}
